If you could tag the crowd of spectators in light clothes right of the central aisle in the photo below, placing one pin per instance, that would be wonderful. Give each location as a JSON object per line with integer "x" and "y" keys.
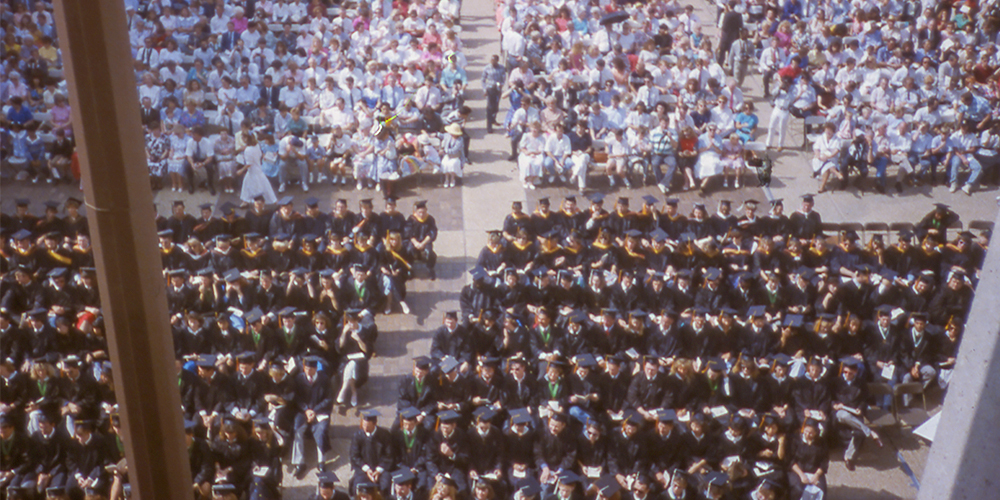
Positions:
{"x": 647, "y": 91}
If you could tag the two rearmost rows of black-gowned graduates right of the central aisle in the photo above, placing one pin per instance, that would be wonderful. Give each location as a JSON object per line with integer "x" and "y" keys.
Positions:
{"x": 668, "y": 239}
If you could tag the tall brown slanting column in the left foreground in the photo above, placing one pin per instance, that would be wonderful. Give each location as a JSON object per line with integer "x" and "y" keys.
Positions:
{"x": 102, "y": 91}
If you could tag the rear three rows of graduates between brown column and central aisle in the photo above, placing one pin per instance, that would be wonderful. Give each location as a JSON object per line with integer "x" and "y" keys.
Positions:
{"x": 305, "y": 266}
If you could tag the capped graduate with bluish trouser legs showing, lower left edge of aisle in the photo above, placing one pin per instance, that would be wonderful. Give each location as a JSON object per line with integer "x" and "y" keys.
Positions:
{"x": 314, "y": 401}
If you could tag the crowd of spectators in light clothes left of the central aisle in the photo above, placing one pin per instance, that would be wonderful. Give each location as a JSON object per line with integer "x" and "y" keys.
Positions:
{"x": 354, "y": 93}
